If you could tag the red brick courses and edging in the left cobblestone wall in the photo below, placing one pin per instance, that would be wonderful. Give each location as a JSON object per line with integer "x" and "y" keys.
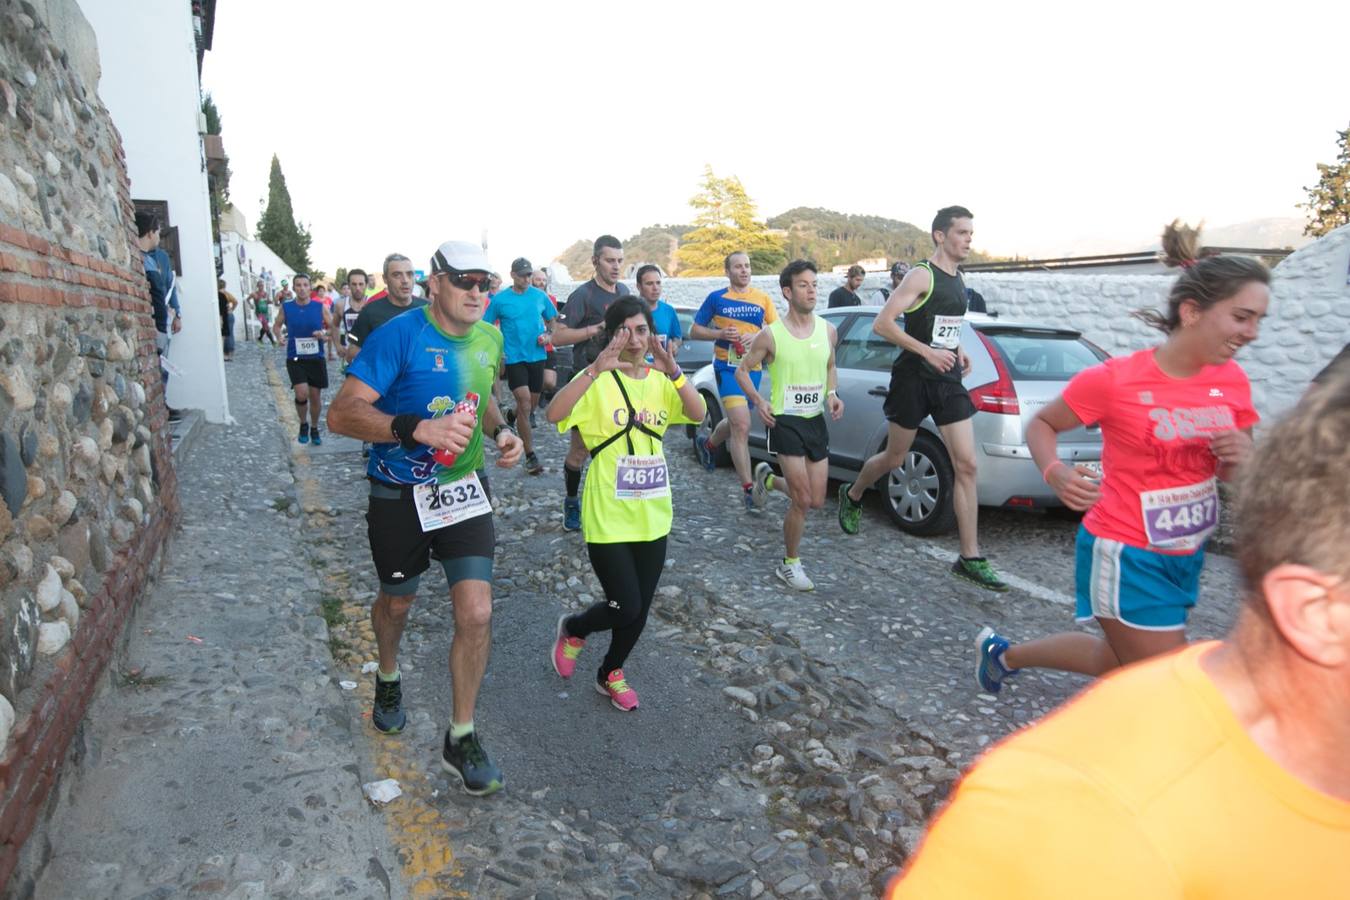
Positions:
{"x": 38, "y": 273}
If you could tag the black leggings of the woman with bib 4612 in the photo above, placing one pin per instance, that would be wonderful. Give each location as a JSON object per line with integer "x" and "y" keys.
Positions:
{"x": 630, "y": 574}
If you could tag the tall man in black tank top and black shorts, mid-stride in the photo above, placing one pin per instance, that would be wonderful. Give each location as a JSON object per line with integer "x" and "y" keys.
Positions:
{"x": 927, "y": 383}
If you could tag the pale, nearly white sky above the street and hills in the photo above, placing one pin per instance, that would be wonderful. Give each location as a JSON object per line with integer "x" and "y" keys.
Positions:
{"x": 406, "y": 123}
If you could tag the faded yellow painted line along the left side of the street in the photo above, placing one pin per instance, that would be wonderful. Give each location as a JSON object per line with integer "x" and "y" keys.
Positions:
{"x": 416, "y": 828}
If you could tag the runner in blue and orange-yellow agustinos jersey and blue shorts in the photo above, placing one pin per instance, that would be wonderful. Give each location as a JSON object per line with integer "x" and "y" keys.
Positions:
{"x": 732, "y": 318}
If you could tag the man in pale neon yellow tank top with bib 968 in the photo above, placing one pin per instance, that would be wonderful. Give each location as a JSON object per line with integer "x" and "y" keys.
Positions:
{"x": 799, "y": 351}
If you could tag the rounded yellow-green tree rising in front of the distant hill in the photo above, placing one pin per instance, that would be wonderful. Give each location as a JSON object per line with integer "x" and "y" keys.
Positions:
{"x": 727, "y": 222}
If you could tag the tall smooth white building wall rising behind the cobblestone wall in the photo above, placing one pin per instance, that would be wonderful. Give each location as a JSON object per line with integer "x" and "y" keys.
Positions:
{"x": 149, "y": 83}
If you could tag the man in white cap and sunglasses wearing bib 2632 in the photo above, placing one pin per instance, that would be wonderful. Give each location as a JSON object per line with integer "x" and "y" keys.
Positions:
{"x": 422, "y": 392}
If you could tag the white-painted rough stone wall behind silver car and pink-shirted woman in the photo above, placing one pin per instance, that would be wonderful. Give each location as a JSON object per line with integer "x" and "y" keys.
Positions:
{"x": 1307, "y": 325}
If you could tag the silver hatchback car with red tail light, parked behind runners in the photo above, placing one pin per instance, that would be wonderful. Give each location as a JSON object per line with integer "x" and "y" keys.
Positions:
{"x": 1017, "y": 368}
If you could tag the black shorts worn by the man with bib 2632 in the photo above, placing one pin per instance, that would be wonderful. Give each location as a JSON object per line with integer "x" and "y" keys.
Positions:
{"x": 402, "y": 551}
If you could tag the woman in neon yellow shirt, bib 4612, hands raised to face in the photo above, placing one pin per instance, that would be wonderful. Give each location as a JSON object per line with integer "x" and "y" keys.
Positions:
{"x": 622, "y": 408}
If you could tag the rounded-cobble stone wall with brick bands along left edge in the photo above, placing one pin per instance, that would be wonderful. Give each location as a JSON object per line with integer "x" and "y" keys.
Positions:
{"x": 86, "y": 468}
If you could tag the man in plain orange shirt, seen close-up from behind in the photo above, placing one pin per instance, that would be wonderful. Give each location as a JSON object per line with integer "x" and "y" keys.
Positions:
{"x": 1220, "y": 771}
